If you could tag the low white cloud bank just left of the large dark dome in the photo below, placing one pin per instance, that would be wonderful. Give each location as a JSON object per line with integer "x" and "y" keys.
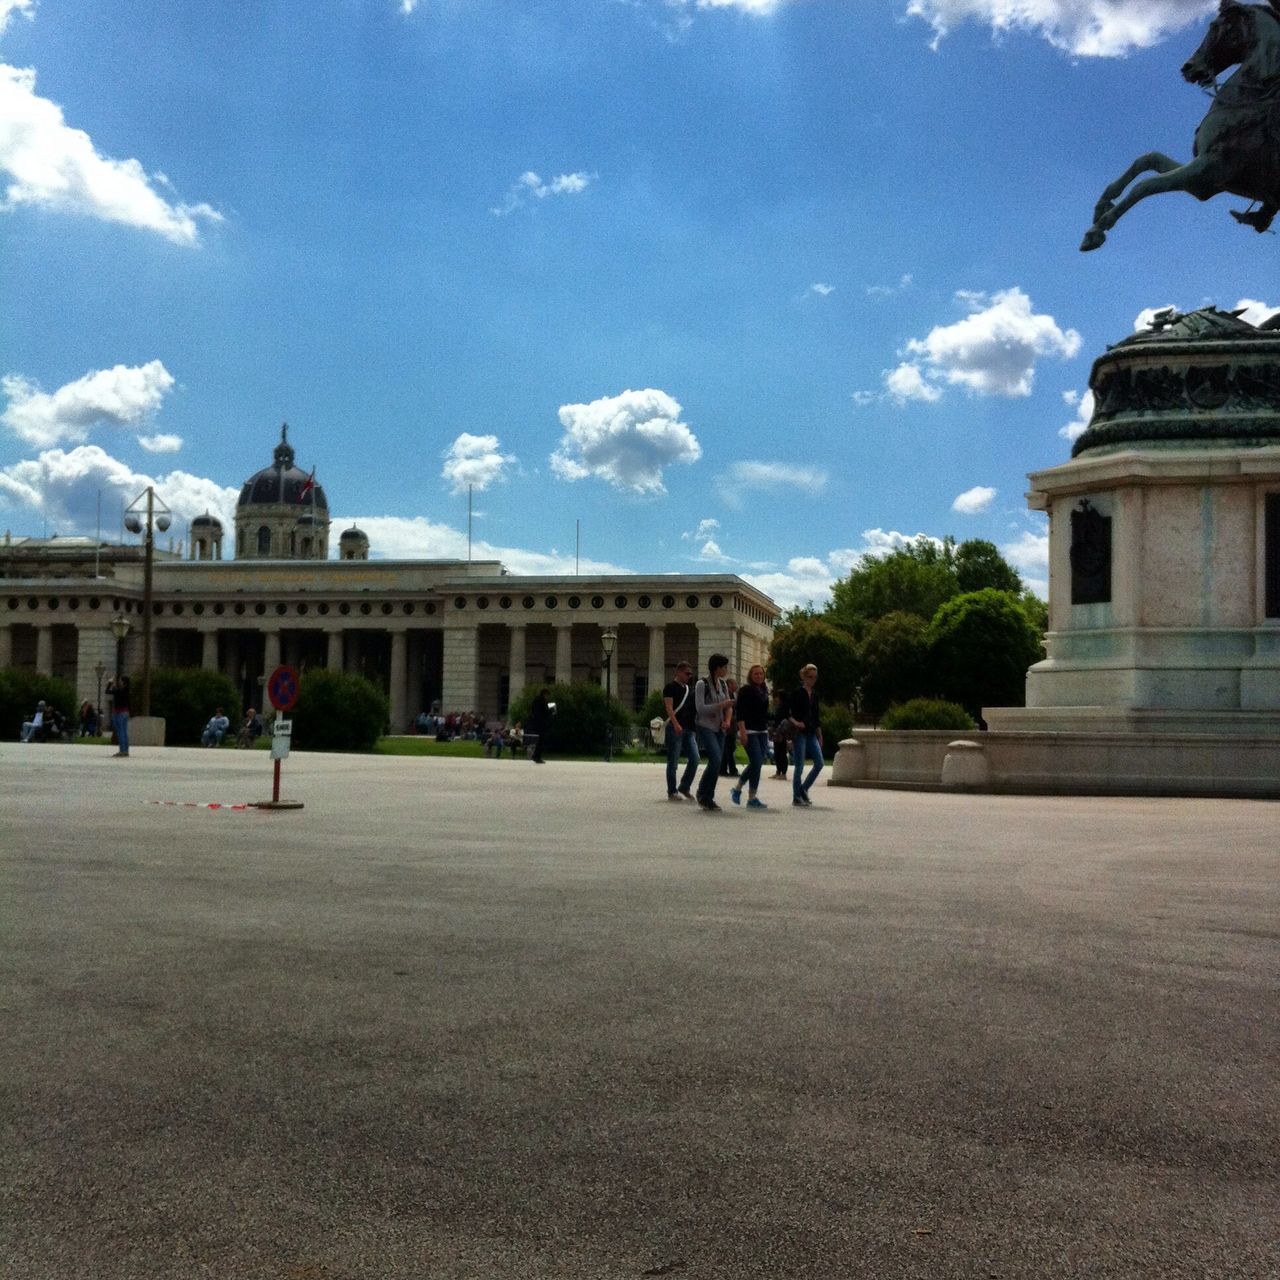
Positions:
{"x": 65, "y": 486}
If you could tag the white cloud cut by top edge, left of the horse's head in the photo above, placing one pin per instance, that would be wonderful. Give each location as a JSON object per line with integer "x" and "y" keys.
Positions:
{"x": 1089, "y": 29}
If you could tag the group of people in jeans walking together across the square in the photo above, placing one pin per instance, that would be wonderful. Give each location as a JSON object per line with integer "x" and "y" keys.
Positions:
{"x": 700, "y": 715}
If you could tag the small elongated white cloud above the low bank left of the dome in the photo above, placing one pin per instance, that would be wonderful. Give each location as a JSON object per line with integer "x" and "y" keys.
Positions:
{"x": 120, "y": 396}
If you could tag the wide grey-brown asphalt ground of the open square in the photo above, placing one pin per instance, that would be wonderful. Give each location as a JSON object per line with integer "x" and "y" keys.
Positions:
{"x": 484, "y": 1020}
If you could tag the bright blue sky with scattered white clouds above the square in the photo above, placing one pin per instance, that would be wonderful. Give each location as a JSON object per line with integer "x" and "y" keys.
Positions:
{"x": 656, "y": 286}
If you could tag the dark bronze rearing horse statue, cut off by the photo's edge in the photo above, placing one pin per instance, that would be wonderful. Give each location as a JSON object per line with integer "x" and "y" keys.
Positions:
{"x": 1237, "y": 145}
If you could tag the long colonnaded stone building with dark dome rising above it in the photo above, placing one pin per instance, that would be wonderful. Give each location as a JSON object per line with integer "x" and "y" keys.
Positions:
{"x": 465, "y": 634}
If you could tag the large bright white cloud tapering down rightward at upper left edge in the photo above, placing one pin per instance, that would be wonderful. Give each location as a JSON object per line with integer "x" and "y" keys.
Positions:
{"x": 56, "y": 167}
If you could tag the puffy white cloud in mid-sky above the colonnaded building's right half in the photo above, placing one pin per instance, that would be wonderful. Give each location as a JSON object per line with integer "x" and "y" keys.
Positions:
{"x": 625, "y": 440}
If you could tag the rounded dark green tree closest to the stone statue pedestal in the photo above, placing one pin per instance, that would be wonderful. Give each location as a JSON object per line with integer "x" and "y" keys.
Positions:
{"x": 981, "y": 646}
